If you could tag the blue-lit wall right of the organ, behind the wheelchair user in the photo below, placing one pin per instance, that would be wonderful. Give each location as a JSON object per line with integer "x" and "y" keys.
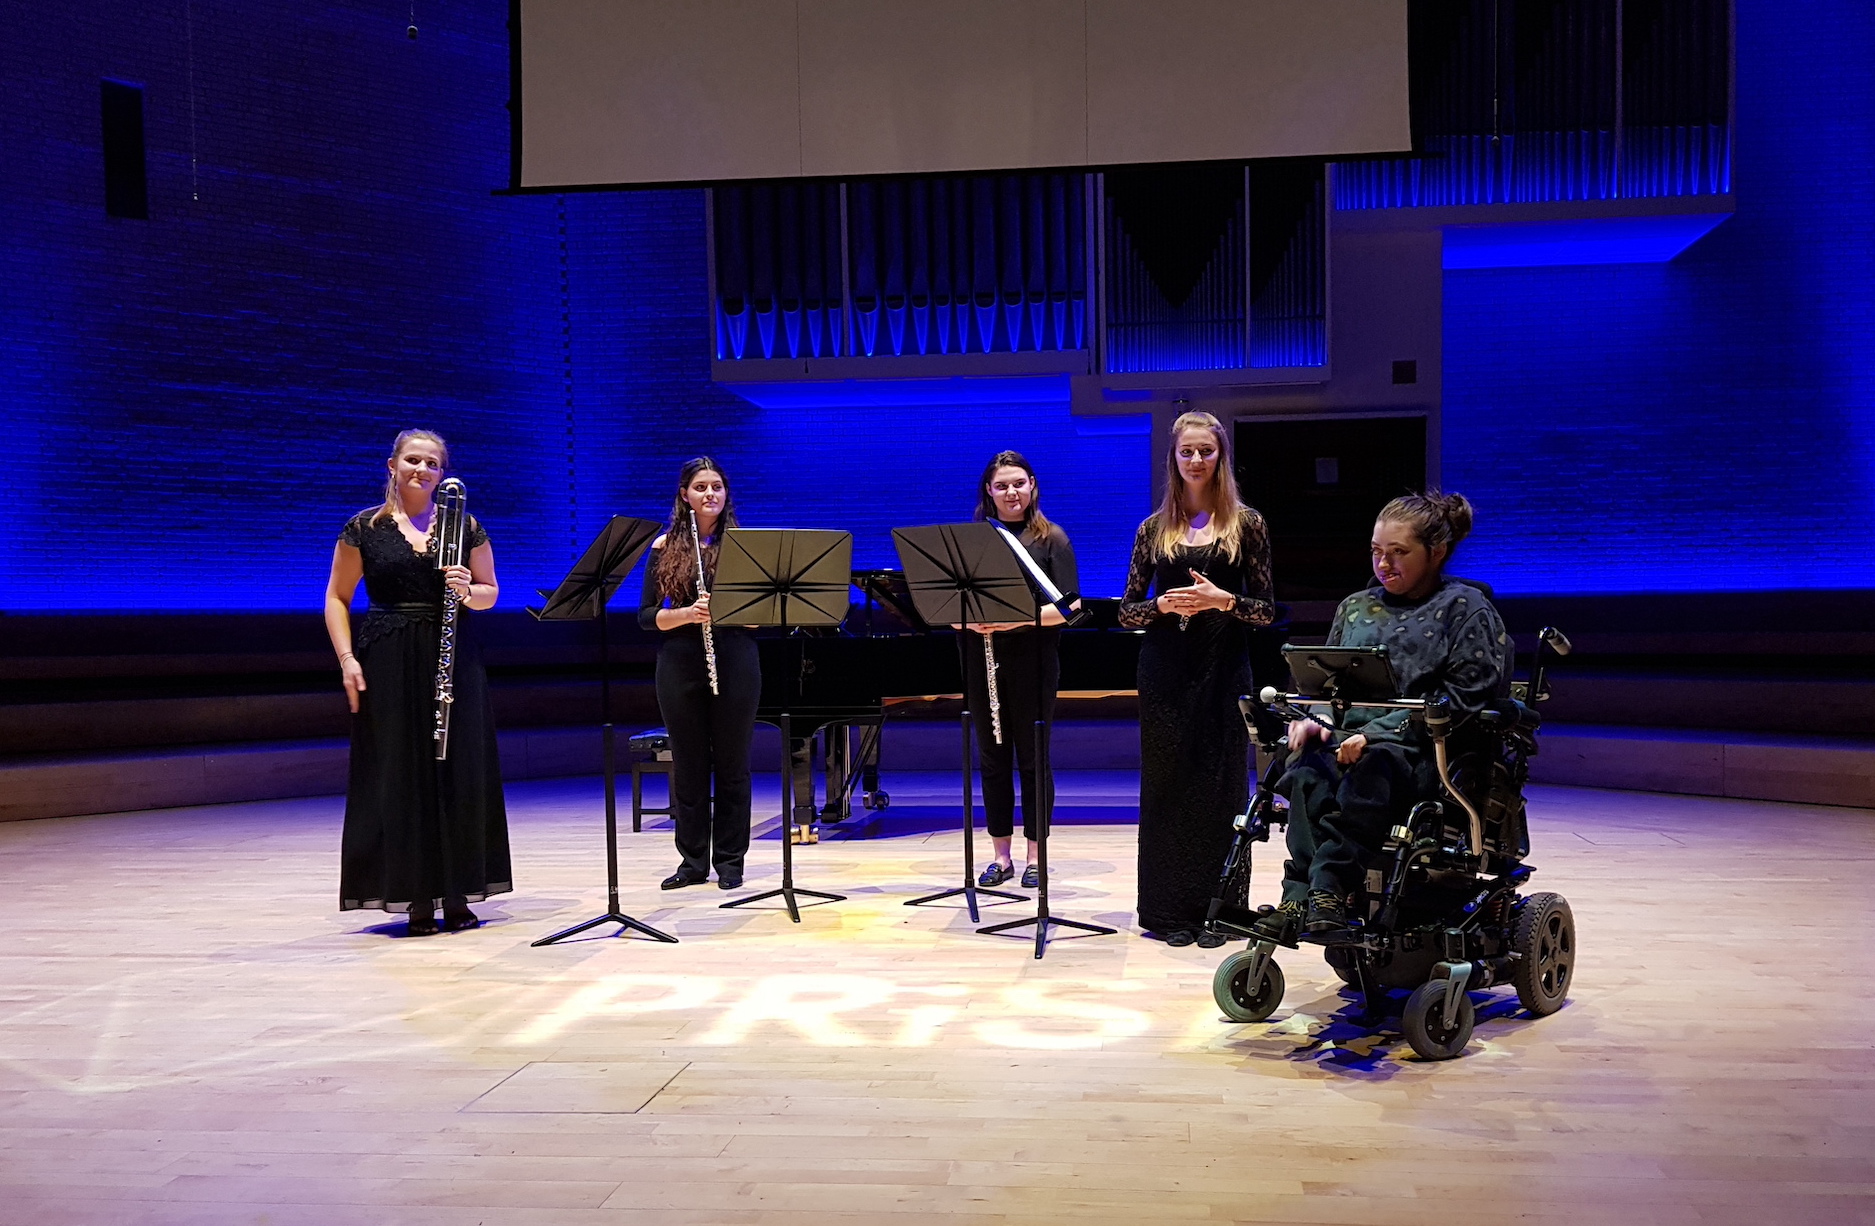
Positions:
{"x": 1705, "y": 425}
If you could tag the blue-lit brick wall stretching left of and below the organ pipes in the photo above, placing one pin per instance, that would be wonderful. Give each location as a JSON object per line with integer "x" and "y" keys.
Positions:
{"x": 194, "y": 404}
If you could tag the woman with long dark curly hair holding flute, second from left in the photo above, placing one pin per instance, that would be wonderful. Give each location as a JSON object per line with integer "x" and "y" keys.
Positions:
{"x": 710, "y": 683}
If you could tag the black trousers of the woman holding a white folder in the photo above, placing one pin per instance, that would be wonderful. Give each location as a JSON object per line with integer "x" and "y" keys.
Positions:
{"x": 1019, "y": 655}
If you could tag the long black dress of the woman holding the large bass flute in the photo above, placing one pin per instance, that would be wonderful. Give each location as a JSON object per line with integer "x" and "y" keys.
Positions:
{"x": 417, "y": 831}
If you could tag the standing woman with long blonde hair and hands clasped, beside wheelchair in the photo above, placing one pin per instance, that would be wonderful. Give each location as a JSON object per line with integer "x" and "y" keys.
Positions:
{"x": 1199, "y": 582}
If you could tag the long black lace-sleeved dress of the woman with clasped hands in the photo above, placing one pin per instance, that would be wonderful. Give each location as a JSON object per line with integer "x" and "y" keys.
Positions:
{"x": 1193, "y": 745}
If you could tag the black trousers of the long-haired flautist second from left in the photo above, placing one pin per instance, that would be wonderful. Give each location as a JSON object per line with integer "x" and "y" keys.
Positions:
{"x": 710, "y": 743}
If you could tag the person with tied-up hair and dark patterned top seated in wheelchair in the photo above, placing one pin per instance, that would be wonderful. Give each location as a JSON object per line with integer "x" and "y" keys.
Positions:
{"x": 1443, "y": 636}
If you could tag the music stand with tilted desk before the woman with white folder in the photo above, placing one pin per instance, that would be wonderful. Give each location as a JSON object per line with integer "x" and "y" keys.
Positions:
{"x": 959, "y": 575}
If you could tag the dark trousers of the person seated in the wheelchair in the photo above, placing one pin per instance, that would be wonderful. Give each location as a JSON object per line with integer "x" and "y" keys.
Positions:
{"x": 1340, "y": 816}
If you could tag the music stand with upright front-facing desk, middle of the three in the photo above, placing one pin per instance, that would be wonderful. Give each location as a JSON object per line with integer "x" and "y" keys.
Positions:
{"x": 783, "y": 578}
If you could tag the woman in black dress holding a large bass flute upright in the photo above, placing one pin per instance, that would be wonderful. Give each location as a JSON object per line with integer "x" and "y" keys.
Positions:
{"x": 419, "y": 833}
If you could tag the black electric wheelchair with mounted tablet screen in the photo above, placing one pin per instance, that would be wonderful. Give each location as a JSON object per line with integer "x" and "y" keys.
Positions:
{"x": 1441, "y": 912}
